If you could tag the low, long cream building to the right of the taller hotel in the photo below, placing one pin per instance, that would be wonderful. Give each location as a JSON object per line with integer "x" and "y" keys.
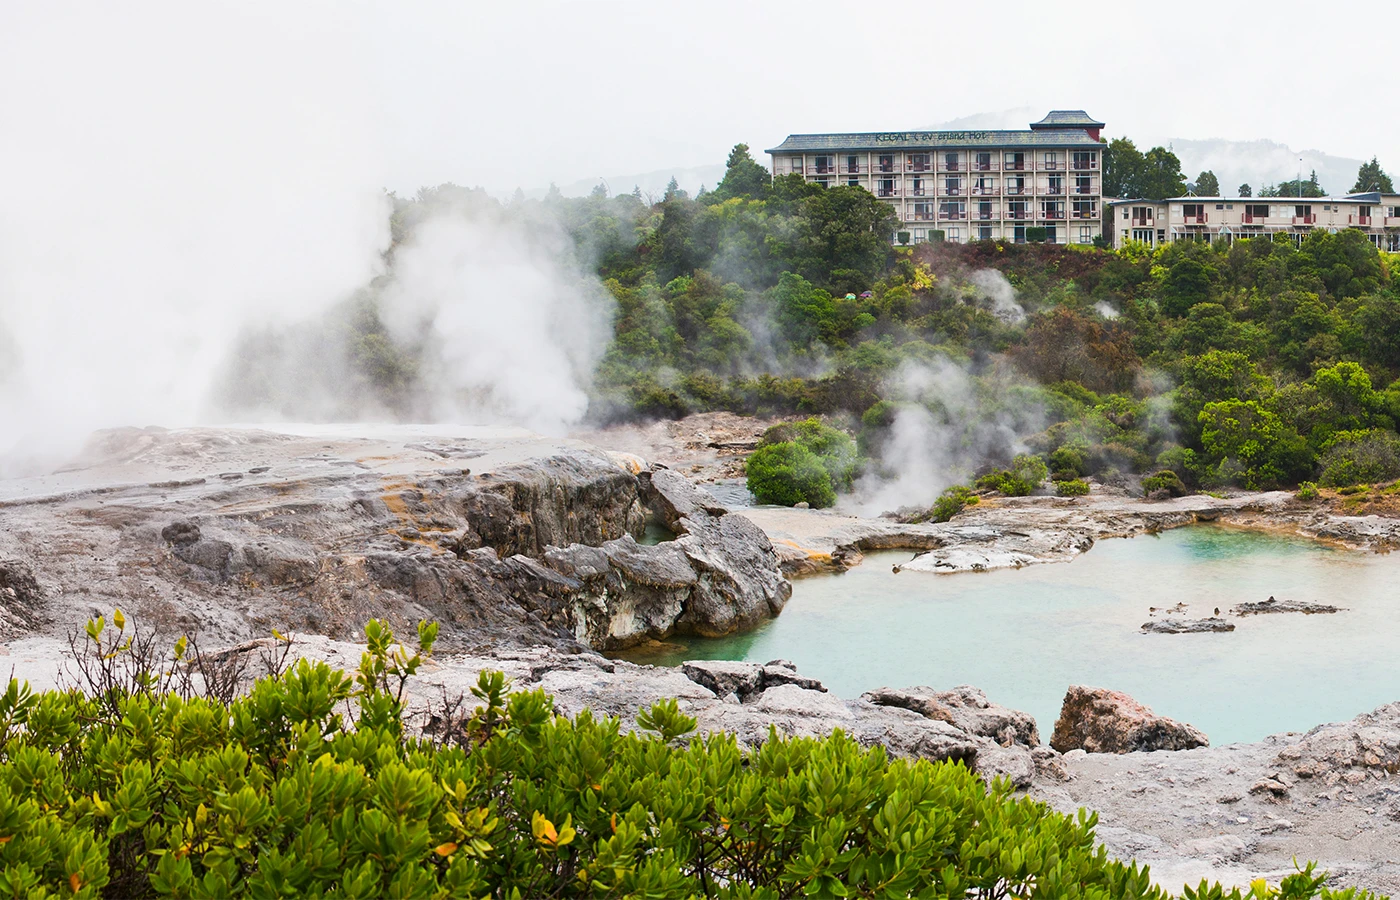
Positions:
{"x": 1230, "y": 219}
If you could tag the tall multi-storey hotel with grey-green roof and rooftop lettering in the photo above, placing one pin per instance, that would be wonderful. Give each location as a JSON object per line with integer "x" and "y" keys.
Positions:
{"x": 968, "y": 185}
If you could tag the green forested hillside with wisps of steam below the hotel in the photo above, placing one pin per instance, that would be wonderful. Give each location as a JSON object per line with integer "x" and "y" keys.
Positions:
{"x": 1258, "y": 365}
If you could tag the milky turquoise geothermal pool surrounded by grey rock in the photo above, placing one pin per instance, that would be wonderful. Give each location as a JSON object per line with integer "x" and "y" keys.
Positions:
{"x": 1024, "y": 636}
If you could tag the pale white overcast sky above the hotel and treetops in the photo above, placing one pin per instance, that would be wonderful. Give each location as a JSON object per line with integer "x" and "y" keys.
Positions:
{"x": 510, "y": 93}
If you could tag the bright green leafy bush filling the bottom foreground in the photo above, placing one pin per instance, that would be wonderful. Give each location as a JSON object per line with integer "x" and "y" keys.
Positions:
{"x": 310, "y": 786}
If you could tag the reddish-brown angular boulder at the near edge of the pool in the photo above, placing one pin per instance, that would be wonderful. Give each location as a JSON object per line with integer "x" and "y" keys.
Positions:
{"x": 1108, "y": 722}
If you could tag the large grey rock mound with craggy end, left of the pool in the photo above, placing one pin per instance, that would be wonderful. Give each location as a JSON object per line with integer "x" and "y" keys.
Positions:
{"x": 535, "y": 547}
